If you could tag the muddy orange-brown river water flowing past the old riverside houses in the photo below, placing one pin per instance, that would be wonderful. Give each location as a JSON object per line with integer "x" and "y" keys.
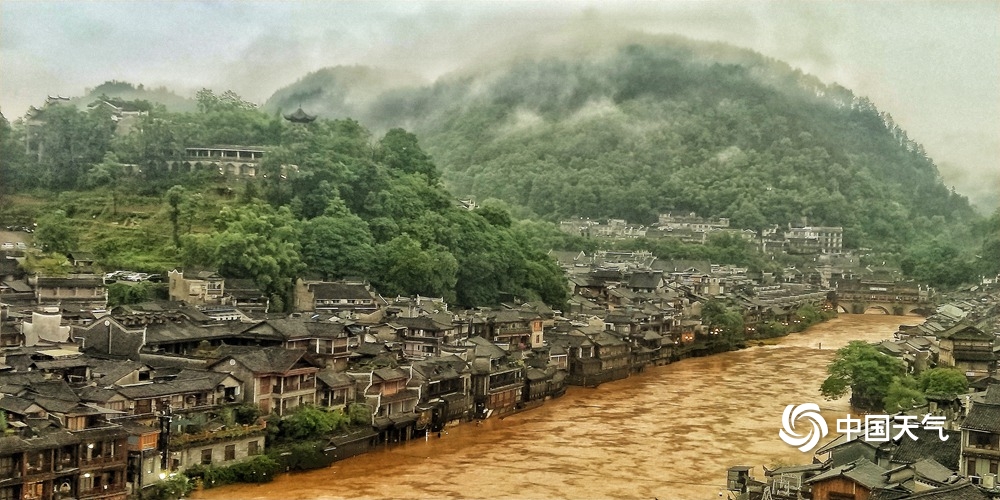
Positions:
{"x": 668, "y": 433}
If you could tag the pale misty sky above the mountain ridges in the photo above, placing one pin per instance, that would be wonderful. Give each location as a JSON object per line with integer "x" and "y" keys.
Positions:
{"x": 933, "y": 65}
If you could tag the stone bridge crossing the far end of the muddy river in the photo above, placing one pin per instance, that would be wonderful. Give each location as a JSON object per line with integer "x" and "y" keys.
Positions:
{"x": 889, "y": 297}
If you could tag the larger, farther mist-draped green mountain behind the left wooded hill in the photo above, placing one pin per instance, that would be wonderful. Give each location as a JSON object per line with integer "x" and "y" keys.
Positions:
{"x": 668, "y": 125}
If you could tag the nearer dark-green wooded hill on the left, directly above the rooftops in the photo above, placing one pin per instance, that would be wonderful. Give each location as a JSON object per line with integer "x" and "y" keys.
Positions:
{"x": 329, "y": 201}
